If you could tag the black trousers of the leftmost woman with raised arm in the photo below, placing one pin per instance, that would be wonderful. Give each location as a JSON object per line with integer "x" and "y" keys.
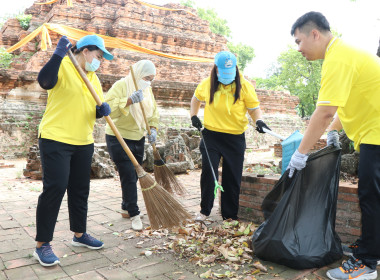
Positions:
{"x": 64, "y": 167}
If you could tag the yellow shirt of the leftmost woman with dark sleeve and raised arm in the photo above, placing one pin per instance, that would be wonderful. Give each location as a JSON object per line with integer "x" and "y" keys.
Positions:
{"x": 70, "y": 110}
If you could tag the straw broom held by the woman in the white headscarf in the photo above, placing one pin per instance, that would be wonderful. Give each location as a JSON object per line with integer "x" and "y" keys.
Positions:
{"x": 164, "y": 176}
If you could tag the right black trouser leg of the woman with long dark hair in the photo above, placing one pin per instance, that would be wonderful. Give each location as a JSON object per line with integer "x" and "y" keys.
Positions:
{"x": 233, "y": 148}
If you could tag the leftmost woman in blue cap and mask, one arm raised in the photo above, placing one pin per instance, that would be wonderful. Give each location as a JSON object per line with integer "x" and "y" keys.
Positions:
{"x": 66, "y": 142}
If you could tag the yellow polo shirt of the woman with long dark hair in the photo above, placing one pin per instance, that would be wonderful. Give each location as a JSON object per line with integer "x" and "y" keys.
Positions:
{"x": 222, "y": 115}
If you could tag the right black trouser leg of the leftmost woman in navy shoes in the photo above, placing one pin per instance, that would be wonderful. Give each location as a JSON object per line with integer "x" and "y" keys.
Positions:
{"x": 79, "y": 187}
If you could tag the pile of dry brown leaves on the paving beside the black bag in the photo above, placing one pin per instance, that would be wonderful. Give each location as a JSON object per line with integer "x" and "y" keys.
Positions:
{"x": 223, "y": 249}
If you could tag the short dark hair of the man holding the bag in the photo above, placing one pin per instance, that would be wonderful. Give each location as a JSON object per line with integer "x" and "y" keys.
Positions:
{"x": 309, "y": 21}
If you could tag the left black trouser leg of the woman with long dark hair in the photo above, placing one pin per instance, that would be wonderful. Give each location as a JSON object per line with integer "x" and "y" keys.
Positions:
{"x": 207, "y": 179}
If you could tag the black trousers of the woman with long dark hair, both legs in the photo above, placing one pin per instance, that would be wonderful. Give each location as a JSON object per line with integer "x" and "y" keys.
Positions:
{"x": 231, "y": 147}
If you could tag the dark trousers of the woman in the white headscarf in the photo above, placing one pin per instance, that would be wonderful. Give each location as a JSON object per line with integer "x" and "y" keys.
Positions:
{"x": 127, "y": 172}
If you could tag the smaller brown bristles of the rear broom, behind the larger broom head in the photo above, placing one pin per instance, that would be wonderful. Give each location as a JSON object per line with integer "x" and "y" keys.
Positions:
{"x": 165, "y": 177}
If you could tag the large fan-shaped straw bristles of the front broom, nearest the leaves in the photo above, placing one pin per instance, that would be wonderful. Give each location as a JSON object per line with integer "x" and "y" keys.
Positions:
{"x": 163, "y": 210}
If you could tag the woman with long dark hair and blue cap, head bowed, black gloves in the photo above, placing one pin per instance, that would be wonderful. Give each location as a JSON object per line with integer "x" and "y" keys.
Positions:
{"x": 228, "y": 97}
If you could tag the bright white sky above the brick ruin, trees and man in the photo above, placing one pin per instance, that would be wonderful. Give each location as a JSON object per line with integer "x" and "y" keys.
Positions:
{"x": 265, "y": 24}
